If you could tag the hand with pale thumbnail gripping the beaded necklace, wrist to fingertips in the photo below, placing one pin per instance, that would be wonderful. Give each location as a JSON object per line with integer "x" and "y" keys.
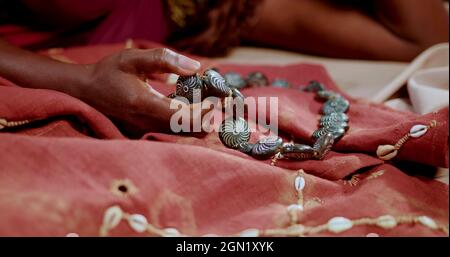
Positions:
{"x": 115, "y": 87}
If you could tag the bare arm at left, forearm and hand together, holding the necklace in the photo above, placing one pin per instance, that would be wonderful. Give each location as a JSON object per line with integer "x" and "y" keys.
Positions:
{"x": 114, "y": 85}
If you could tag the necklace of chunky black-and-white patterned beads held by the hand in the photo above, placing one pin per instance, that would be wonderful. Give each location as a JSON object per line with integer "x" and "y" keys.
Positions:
{"x": 234, "y": 132}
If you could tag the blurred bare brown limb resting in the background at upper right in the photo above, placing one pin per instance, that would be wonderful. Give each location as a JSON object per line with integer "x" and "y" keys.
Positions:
{"x": 374, "y": 29}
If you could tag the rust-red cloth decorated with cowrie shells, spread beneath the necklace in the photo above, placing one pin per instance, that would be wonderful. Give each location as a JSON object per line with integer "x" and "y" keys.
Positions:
{"x": 56, "y": 175}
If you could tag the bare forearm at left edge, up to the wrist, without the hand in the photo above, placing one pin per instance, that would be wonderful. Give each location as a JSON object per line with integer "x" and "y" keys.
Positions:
{"x": 31, "y": 70}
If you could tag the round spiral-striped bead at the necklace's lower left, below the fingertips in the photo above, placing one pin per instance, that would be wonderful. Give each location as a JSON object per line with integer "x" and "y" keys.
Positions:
{"x": 234, "y": 132}
